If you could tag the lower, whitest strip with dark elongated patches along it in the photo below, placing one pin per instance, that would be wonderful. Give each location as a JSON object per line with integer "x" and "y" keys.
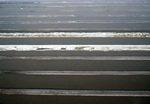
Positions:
{"x": 74, "y": 47}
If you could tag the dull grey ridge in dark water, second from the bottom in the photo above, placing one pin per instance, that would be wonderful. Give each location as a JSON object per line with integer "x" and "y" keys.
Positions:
{"x": 83, "y": 73}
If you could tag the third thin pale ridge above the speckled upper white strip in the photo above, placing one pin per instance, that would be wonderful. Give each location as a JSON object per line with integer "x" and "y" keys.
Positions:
{"x": 54, "y": 16}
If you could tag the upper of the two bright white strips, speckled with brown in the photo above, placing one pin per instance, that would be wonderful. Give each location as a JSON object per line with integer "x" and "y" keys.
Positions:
{"x": 65, "y": 34}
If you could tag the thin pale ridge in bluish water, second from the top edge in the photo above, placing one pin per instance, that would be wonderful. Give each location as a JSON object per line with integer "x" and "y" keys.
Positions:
{"x": 72, "y": 6}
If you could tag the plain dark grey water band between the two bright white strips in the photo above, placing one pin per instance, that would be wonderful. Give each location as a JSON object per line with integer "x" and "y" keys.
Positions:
{"x": 74, "y": 41}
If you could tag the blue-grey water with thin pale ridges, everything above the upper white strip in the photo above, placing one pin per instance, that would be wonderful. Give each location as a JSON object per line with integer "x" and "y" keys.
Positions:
{"x": 74, "y": 15}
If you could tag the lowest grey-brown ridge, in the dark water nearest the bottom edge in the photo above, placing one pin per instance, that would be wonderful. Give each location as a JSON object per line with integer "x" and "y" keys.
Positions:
{"x": 51, "y": 92}
